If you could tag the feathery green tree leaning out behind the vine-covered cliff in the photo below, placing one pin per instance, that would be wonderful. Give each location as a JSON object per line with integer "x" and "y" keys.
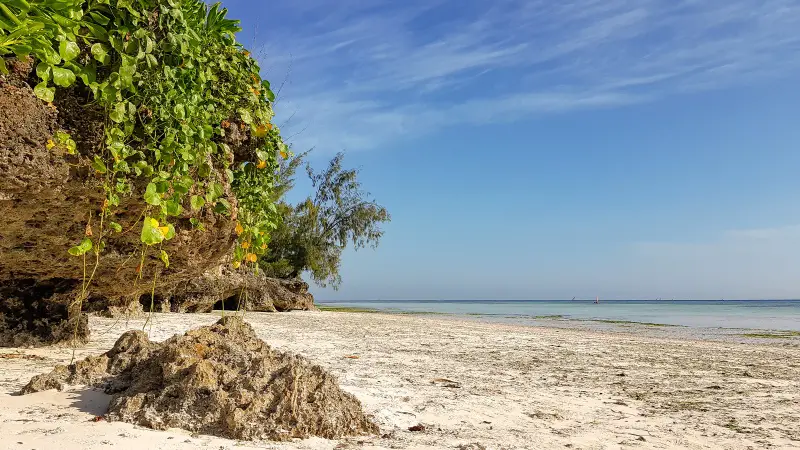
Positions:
{"x": 313, "y": 233}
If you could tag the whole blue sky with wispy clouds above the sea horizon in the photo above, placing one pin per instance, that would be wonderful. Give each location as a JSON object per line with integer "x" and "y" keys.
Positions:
{"x": 547, "y": 150}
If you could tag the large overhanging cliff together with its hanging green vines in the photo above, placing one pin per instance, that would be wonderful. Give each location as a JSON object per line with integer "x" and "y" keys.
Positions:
{"x": 159, "y": 131}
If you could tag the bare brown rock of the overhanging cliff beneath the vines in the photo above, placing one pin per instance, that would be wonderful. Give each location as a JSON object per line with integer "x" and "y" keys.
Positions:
{"x": 47, "y": 198}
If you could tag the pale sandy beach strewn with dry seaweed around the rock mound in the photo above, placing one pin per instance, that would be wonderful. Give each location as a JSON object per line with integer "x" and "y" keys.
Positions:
{"x": 470, "y": 384}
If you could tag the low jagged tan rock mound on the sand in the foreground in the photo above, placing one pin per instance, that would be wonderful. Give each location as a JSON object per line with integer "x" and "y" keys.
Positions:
{"x": 219, "y": 380}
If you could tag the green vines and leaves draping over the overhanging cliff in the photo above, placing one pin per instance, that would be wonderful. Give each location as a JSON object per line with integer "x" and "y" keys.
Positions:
{"x": 172, "y": 81}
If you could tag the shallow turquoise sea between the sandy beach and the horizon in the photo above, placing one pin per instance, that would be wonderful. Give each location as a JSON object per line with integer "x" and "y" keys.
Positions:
{"x": 758, "y": 314}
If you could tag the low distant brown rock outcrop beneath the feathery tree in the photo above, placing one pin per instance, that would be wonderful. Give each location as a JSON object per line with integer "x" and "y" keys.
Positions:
{"x": 256, "y": 291}
